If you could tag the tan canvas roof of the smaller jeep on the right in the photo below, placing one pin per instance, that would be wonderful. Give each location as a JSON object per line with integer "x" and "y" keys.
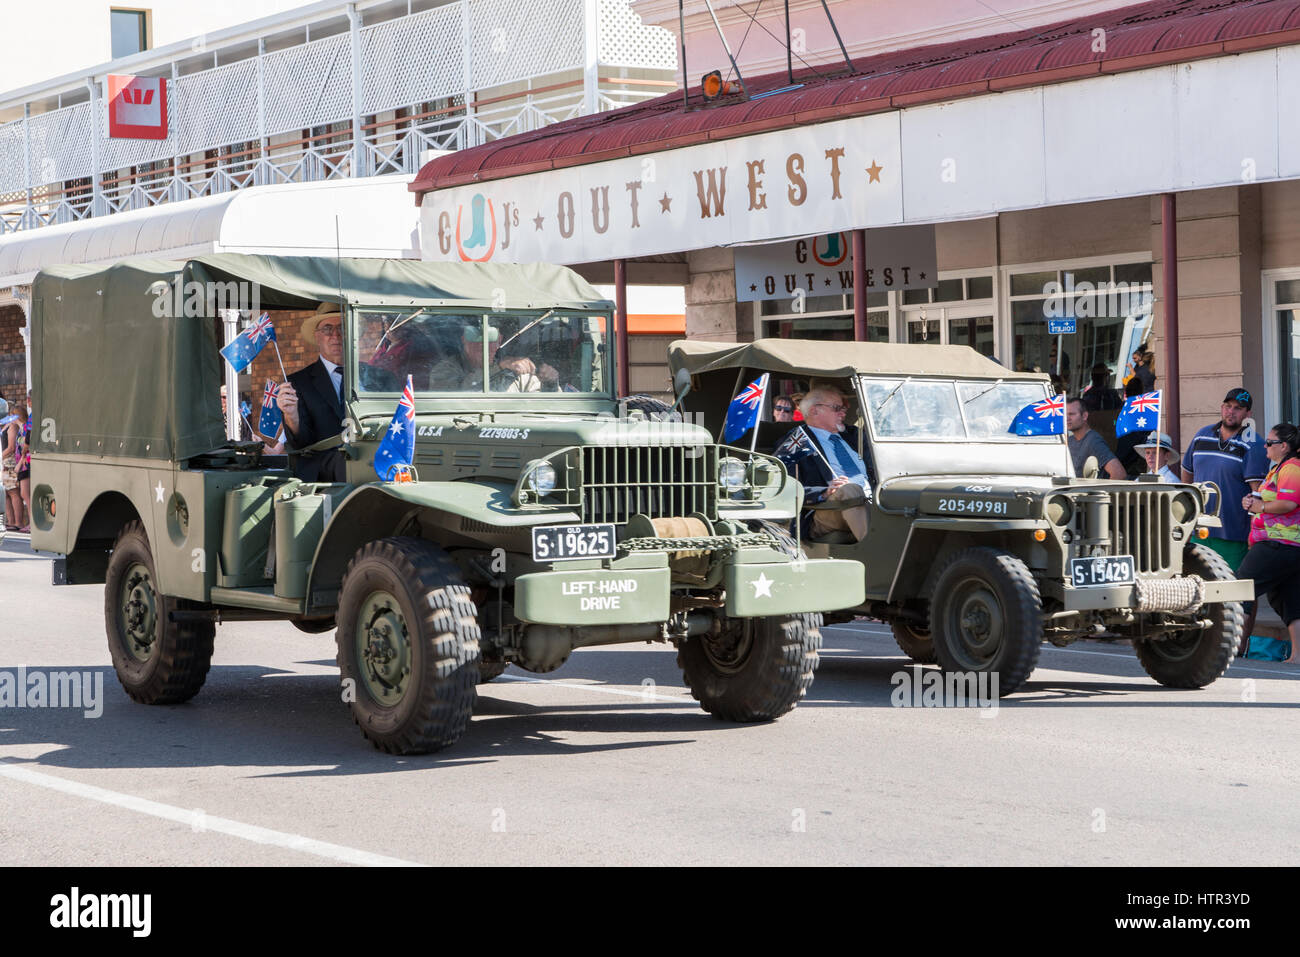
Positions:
{"x": 835, "y": 360}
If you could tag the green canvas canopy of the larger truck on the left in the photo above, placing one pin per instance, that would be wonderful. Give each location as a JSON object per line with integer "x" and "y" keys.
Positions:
{"x": 115, "y": 378}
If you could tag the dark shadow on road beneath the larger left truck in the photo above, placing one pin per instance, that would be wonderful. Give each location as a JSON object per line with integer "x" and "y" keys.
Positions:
{"x": 255, "y": 717}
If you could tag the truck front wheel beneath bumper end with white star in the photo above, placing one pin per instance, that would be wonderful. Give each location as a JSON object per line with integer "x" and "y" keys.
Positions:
{"x": 752, "y": 669}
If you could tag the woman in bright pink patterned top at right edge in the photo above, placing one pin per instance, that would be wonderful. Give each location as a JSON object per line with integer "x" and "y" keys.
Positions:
{"x": 1273, "y": 561}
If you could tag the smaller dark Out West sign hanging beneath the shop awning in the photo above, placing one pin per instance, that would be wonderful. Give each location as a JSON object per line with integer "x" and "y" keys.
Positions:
{"x": 898, "y": 258}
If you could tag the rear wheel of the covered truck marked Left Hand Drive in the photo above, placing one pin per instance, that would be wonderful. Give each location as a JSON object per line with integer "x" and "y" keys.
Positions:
{"x": 158, "y": 661}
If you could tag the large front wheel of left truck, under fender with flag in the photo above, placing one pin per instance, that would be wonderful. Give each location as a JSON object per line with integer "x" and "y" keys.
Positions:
{"x": 408, "y": 646}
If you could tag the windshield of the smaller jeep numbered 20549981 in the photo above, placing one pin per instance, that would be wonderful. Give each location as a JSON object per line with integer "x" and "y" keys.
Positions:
{"x": 950, "y": 410}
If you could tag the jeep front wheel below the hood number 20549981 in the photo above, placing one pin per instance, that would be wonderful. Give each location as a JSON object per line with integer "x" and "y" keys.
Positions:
{"x": 987, "y": 617}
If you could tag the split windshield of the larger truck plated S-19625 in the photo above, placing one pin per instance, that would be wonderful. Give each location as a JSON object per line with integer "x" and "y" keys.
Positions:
{"x": 545, "y": 352}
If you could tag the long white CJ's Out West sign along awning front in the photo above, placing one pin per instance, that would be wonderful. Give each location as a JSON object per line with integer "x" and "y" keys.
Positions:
{"x": 816, "y": 180}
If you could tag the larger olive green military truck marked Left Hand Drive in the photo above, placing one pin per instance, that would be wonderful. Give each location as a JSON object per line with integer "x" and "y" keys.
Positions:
{"x": 534, "y": 518}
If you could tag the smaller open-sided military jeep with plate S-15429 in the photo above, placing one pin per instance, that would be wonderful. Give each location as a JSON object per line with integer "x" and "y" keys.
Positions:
{"x": 981, "y": 543}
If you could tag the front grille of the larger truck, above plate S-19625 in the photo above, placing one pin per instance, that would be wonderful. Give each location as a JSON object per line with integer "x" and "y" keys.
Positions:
{"x": 657, "y": 482}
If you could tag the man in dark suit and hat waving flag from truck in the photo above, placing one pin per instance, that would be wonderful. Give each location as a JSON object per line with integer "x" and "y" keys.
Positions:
{"x": 313, "y": 400}
